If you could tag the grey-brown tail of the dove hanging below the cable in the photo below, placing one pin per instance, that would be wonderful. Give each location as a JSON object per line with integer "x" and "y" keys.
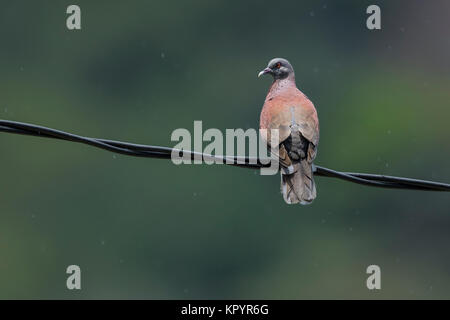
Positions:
{"x": 299, "y": 186}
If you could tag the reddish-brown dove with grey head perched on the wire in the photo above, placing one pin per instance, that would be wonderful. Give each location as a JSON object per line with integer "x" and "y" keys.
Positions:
{"x": 290, "y": 111}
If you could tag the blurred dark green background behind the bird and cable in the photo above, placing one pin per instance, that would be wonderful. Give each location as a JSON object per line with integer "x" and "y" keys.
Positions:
{"x": 144, "y": 228}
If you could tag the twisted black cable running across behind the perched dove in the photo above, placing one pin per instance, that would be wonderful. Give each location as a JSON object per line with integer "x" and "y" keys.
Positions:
{"x": 140, "y": 150}
